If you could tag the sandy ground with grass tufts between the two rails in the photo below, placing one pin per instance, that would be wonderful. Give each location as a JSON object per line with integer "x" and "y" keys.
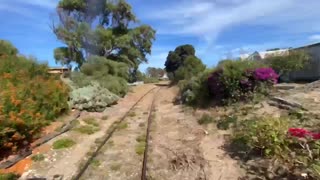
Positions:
{"x": 121, "y": 157}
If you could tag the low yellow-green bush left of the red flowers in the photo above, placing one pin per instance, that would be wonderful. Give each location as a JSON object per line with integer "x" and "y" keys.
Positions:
{"x": 265, "y": 136}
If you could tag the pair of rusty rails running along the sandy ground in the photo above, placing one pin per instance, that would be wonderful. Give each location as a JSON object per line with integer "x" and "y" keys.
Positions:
{"x": 110, "y": 133}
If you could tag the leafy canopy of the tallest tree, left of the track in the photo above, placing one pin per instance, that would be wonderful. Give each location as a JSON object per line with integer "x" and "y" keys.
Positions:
{"x": 106, "y": 28}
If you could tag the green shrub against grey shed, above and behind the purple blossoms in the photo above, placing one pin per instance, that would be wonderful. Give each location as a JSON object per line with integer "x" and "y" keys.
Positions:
{"x": 294, "y": 61}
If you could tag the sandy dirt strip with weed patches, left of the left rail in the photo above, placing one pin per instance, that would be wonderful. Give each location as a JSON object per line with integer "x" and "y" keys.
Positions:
{"x": 65, "y": 162}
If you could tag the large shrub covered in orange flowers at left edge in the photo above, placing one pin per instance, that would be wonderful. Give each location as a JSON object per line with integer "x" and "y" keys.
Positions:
{"x": 29, "y": 99}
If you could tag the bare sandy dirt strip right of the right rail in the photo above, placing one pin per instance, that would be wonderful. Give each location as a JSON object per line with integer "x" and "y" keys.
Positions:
{"x": 182, "y": 149}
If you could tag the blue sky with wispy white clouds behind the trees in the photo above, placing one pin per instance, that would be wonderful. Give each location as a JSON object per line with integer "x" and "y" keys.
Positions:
{"x": 217, "y": 28}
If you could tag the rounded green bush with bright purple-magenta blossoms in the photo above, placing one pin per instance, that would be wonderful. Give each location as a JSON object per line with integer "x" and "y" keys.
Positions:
{"x": 239, "y": 80}
